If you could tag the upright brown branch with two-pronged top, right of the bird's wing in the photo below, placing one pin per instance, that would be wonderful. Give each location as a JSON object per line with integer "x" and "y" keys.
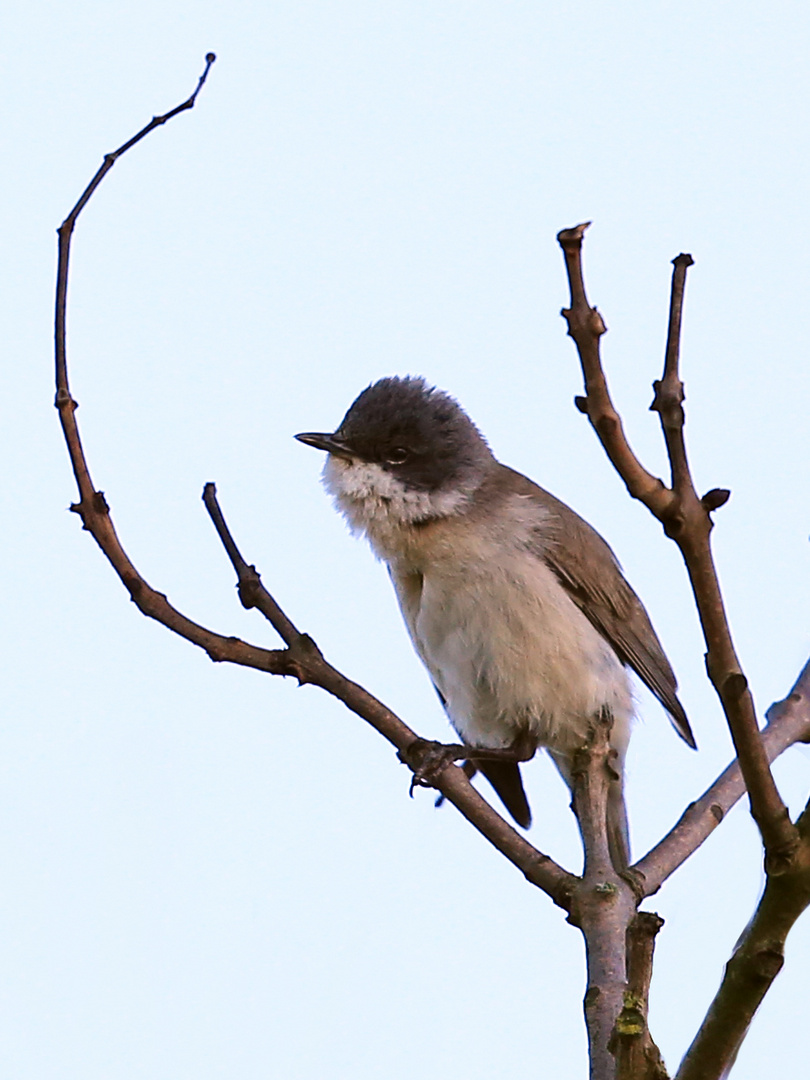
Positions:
{"x": 686, "y": 520}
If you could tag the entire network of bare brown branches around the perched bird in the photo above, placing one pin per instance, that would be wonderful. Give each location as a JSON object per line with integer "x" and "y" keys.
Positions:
{"x": 603, "y": 902}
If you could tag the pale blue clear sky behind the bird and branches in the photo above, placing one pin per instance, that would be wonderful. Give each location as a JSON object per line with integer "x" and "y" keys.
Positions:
{"x": 207, "y": 873}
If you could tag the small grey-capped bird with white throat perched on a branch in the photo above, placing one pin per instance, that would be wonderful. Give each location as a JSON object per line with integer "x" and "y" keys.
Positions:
{"x": 516, "y": 605}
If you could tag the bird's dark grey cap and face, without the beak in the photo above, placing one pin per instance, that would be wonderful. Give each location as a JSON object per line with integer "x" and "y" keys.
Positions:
{"x": 416, "y": 433}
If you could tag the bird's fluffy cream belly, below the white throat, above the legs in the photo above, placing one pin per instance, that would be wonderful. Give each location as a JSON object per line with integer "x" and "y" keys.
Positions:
{"x": 510, "y": 652}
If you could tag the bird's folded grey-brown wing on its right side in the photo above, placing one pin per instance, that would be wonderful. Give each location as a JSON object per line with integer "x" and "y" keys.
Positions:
{"x": 589, "y": 571}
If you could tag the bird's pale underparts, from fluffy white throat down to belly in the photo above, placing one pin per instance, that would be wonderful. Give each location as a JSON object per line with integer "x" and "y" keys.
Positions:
{"x": 506, "y": 645}
